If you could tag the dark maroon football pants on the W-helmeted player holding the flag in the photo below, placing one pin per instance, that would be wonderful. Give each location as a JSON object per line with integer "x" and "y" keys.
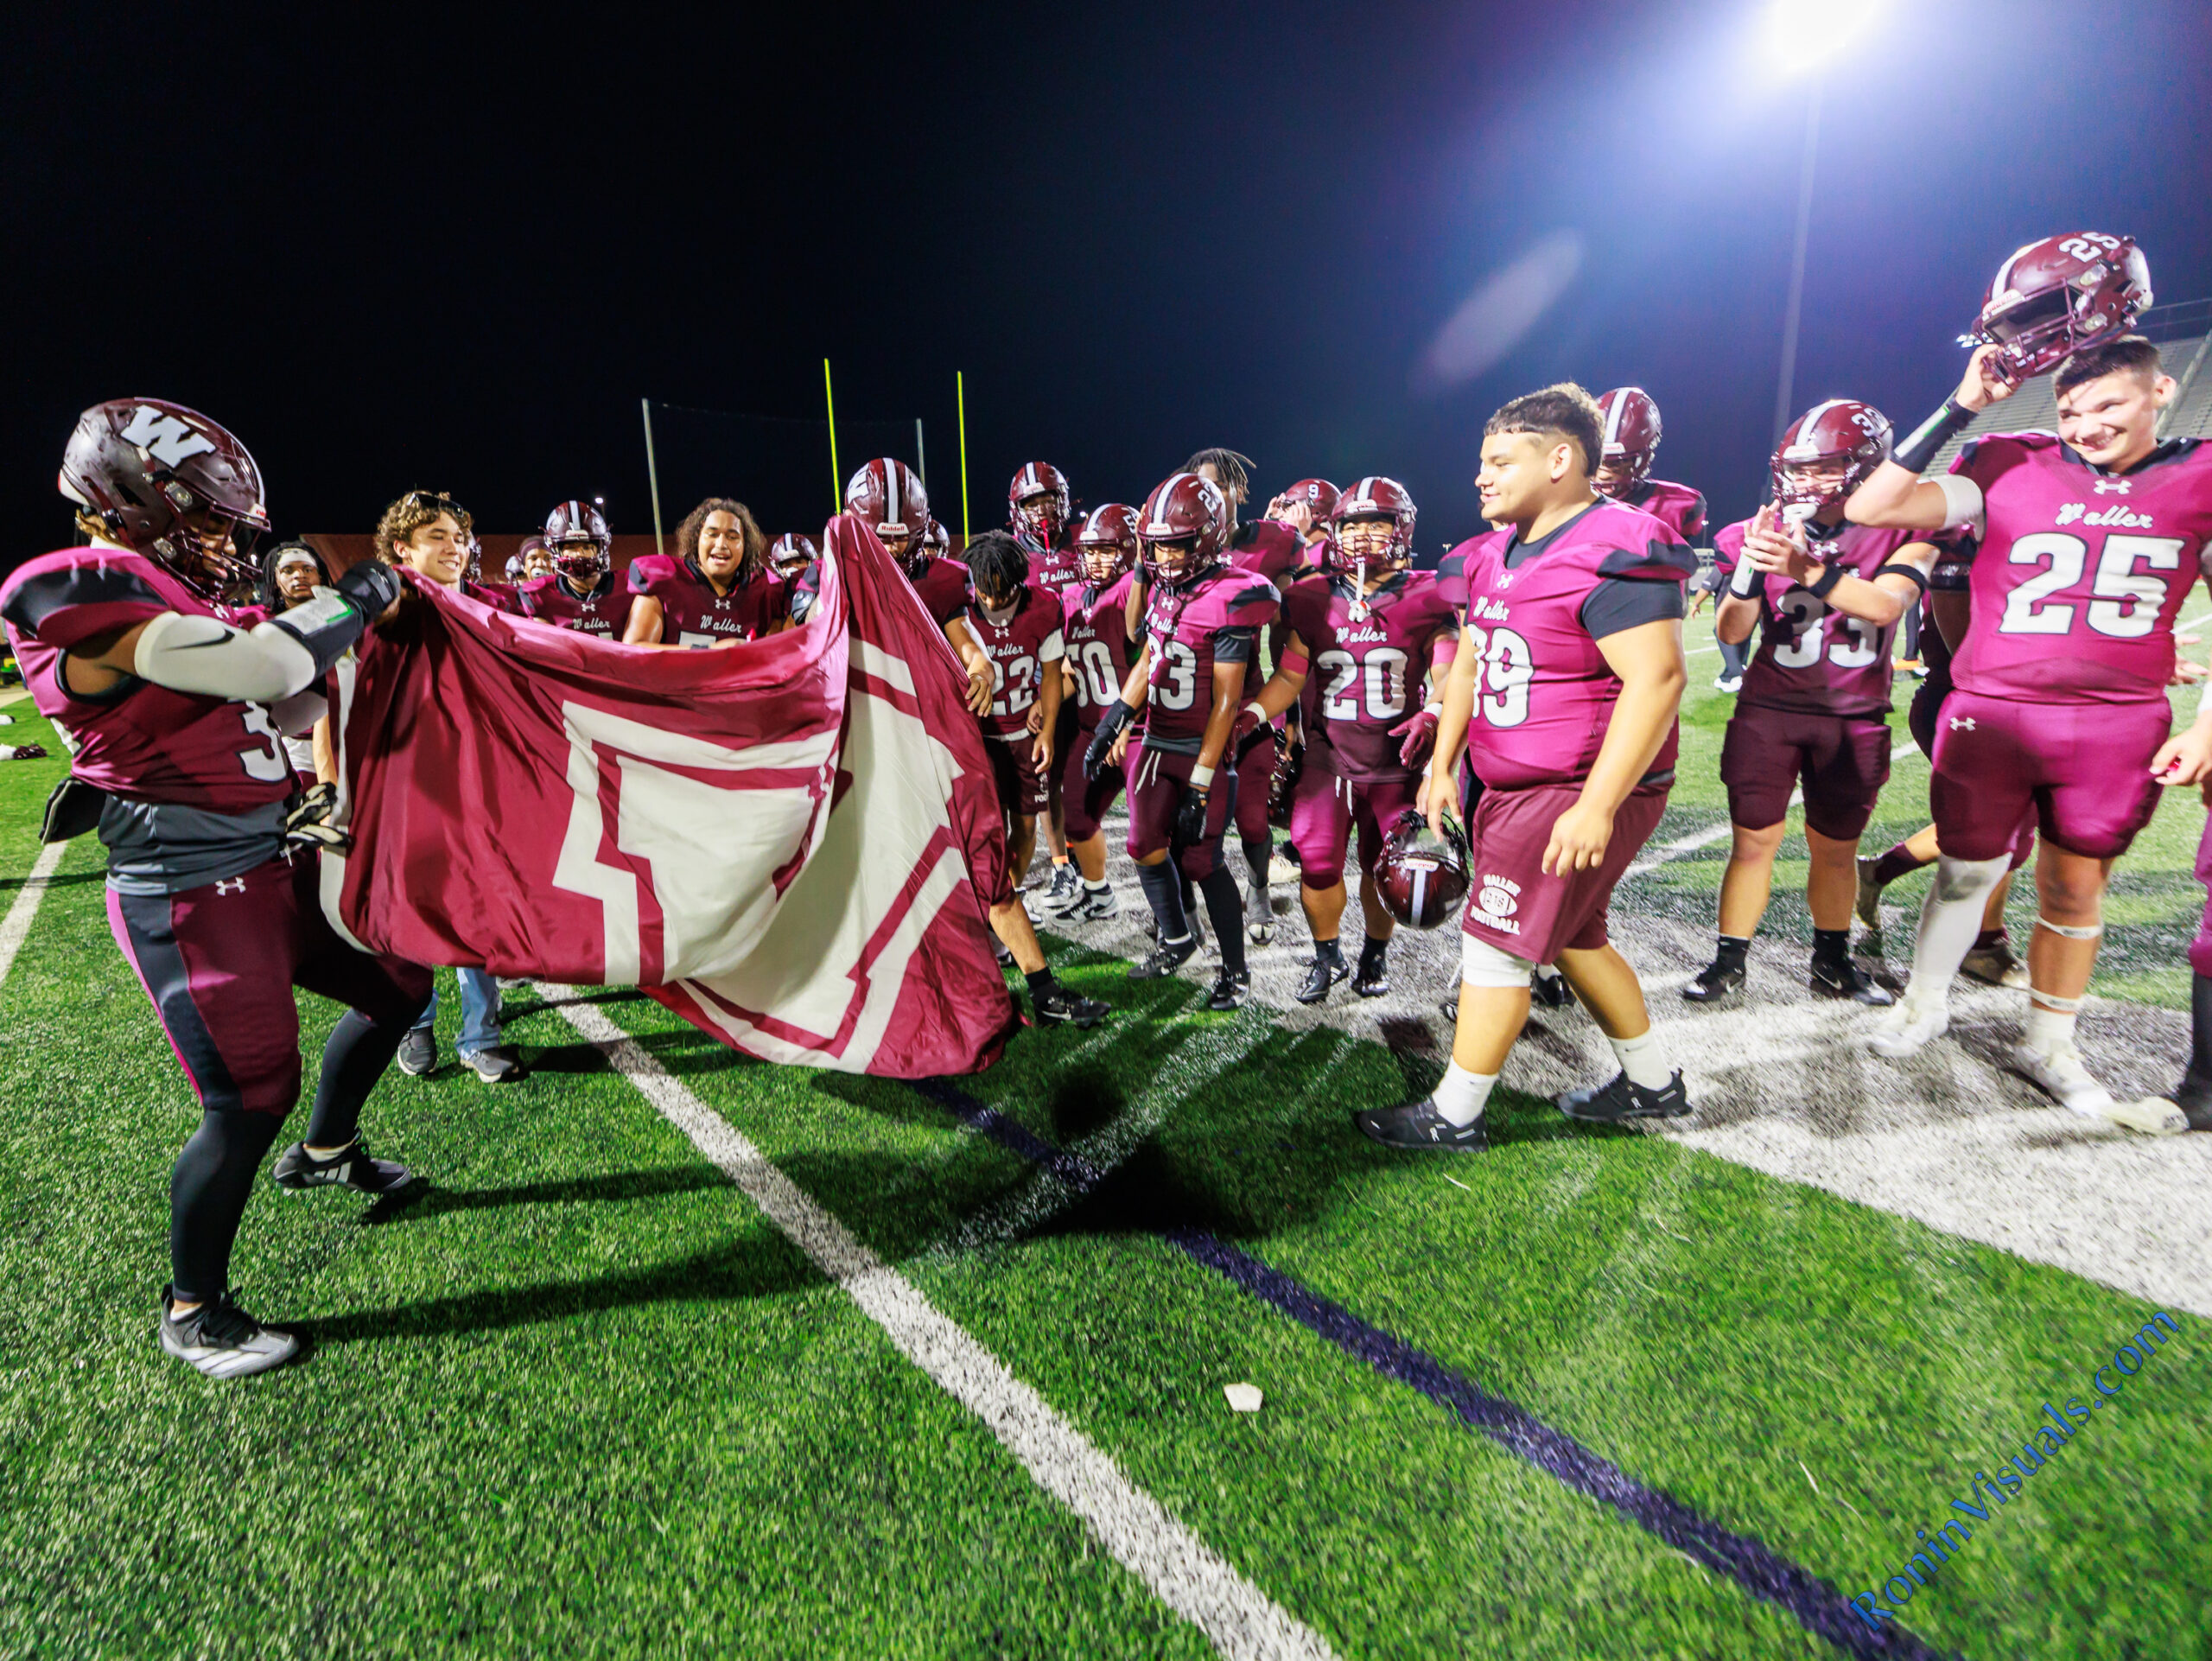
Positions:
{"x": 220, "y": 965}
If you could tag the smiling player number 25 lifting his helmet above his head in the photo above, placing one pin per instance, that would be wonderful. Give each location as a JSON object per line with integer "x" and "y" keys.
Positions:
{"x": 2089, "y": 543}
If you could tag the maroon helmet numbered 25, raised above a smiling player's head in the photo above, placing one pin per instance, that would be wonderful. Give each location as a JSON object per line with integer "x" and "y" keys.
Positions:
{"x": 2060, "y": 295}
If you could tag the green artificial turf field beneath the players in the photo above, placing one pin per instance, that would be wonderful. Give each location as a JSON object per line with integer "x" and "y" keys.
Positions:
{"x": 585, "y": 1399}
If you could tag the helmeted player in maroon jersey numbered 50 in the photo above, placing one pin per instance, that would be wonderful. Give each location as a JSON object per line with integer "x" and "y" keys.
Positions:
{"x": 1096, "y": 640}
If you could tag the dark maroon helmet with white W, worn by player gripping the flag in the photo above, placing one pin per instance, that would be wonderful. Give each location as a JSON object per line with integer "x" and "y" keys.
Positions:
{"x": 174, "y": 485}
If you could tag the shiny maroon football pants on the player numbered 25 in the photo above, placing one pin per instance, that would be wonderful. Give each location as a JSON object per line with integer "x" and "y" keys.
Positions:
{"x": 2080, "y": 769}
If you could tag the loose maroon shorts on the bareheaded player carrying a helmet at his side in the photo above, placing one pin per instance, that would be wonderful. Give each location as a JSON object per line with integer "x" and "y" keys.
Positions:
{"x": 1536, "y": 917}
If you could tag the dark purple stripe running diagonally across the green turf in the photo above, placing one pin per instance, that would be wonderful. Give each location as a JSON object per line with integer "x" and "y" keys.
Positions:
{"x": 1742, "y": 1558}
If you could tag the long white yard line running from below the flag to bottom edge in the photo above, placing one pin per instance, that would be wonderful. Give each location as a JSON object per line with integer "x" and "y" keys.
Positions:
{"x": 1131, "y": 1525}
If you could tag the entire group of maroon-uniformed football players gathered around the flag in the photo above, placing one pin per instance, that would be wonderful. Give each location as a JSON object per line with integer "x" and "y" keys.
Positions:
{"x": 1291, "y": 671}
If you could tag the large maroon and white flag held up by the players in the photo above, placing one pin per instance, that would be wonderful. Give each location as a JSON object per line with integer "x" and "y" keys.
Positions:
{"x": 789, "y": 842}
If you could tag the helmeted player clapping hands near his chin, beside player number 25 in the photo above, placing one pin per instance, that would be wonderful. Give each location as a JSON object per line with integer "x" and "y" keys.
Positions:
{"x": 1815, "y": 704}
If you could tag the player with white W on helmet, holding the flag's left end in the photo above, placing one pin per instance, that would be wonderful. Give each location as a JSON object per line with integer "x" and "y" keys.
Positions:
{"x": 176, "y": 704}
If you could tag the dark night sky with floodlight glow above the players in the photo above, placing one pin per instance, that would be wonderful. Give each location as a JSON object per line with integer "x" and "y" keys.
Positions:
{"x": 459, "y": 255}
